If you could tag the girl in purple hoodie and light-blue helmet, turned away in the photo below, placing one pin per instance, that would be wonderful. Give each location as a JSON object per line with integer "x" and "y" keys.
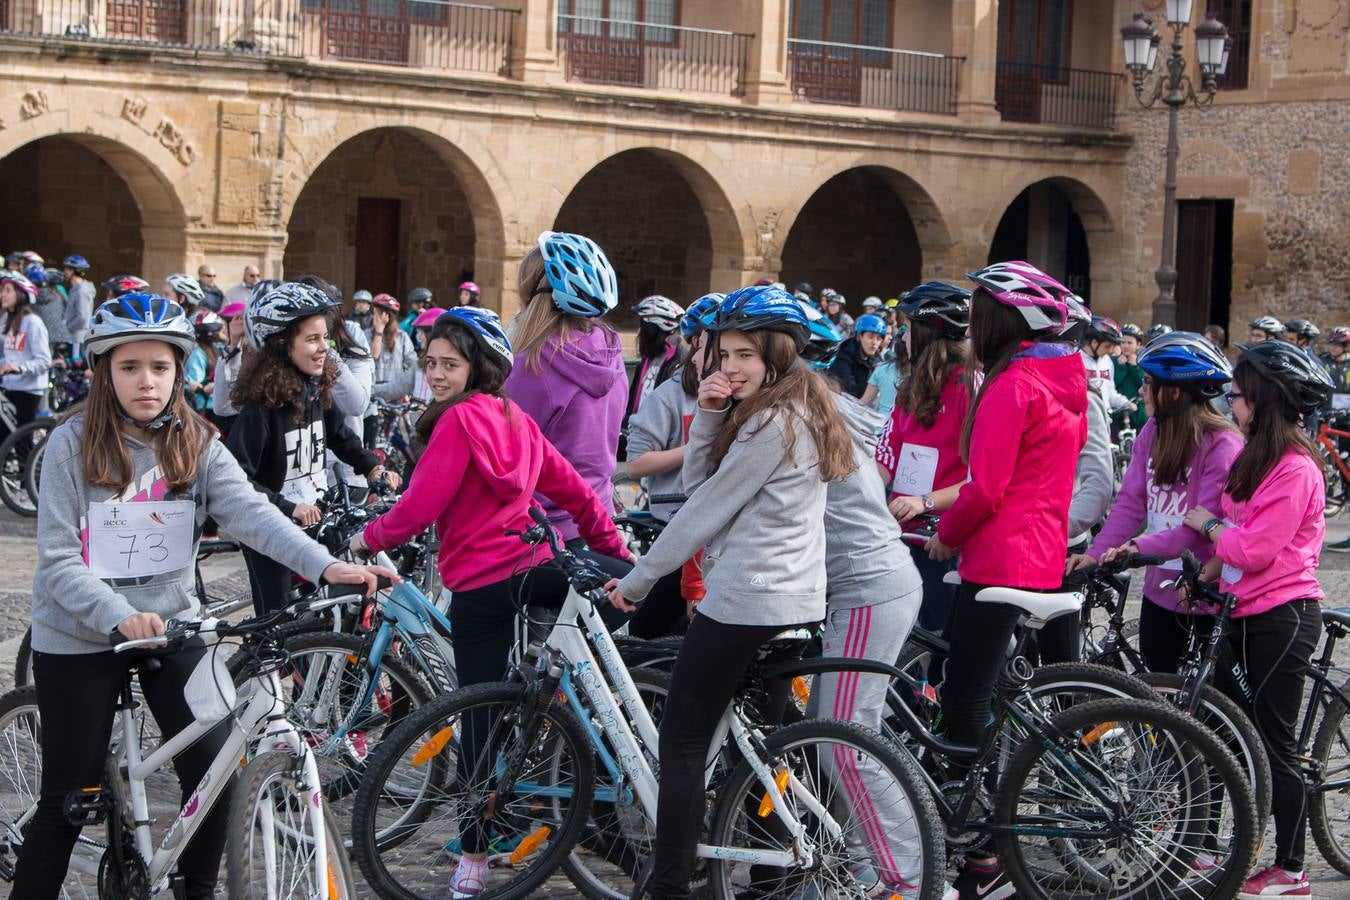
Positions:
{"x": 569, "y": 373}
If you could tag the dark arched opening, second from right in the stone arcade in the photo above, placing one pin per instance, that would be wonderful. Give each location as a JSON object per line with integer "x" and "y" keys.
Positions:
{"x": 859, "y": 235}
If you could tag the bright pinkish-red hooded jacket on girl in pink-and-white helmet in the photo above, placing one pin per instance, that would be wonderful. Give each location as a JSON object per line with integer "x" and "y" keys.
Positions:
{"x": 1012, "y": 520}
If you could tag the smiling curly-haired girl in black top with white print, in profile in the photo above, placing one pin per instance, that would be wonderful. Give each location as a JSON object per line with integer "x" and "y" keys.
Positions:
{"x": 287, "y": 418}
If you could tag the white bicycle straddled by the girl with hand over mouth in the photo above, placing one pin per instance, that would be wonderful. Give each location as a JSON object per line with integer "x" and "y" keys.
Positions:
{"x": 533, "y": 789}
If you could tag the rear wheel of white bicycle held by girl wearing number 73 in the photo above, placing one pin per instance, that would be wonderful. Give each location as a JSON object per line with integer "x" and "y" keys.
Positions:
{"x": 21, "y": 781}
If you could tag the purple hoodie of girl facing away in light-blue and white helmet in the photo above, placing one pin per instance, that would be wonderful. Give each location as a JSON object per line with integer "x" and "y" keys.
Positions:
{"x": 578, "y": 400}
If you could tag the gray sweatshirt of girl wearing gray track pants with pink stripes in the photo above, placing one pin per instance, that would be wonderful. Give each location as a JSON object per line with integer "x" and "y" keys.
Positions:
{"x": 866, "y": 561}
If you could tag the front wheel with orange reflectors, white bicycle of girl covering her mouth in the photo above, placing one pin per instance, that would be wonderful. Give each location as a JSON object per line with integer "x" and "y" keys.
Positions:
{"x": 560, "y": 725}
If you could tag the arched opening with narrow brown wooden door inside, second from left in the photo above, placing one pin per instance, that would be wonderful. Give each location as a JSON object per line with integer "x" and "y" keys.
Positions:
{"x": 385, "y": 213}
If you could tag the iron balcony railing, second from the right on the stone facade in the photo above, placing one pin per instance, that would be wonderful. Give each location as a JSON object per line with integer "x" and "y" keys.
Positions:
{"x": 877, "y": 78}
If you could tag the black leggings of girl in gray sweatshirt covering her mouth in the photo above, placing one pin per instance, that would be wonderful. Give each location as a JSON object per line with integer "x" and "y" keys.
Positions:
{"x": 709, "y": 670}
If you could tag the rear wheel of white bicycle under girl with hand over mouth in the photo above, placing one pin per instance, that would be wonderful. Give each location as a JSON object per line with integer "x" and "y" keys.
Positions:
{"x": 866, "y": 809}
